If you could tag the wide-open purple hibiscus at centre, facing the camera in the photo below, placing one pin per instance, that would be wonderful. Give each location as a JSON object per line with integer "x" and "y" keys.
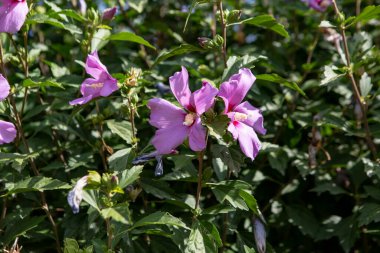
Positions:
{"x": 176, "y": 124}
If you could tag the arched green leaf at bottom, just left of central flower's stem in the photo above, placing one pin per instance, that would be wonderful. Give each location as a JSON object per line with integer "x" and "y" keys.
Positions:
{"x": 159, "y": 218}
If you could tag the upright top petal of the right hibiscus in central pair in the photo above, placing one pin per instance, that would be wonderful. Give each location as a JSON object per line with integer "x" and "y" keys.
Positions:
{"x": 234, "y": 91}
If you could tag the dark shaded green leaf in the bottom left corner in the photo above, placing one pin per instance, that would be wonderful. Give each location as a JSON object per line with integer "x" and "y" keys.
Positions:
{"x": 23, "y": 226}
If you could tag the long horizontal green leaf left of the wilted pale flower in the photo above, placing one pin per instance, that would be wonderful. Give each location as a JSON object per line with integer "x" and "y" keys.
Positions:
{"x": 37, "y": 183}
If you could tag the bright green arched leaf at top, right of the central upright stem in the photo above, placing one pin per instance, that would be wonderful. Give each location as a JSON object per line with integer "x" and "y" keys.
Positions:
{"x": 266, "y": 21}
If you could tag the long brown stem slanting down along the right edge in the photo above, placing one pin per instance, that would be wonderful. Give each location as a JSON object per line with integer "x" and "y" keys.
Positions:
{"x": 355, "y": 89}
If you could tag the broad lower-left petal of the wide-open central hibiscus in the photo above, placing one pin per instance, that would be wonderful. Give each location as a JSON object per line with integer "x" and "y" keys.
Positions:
{"x": 167, "y": 139}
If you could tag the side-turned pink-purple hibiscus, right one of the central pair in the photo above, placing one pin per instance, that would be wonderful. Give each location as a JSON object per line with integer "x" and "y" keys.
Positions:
{"x": 246, "y": 120}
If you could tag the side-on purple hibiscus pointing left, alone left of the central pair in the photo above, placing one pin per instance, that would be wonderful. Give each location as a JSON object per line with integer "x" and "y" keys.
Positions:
{"x": 101, "y": 85}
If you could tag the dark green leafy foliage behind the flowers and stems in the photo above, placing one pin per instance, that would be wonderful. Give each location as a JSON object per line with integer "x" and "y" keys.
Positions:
{"x": 334, "y": 207}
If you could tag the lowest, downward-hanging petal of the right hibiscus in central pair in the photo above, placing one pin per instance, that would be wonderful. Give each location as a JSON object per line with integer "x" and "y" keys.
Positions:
{"x": 248, "y": 140}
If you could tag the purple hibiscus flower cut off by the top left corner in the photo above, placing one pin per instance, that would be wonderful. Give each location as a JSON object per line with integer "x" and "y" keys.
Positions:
{"x": 12, "y": 15}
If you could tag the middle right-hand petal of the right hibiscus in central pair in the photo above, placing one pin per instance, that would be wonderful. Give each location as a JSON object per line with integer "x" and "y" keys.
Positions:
{"x": 255, "y": 118}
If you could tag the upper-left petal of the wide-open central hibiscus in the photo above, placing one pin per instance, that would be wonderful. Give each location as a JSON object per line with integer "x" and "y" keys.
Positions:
{"x": 164, "y": 114}
